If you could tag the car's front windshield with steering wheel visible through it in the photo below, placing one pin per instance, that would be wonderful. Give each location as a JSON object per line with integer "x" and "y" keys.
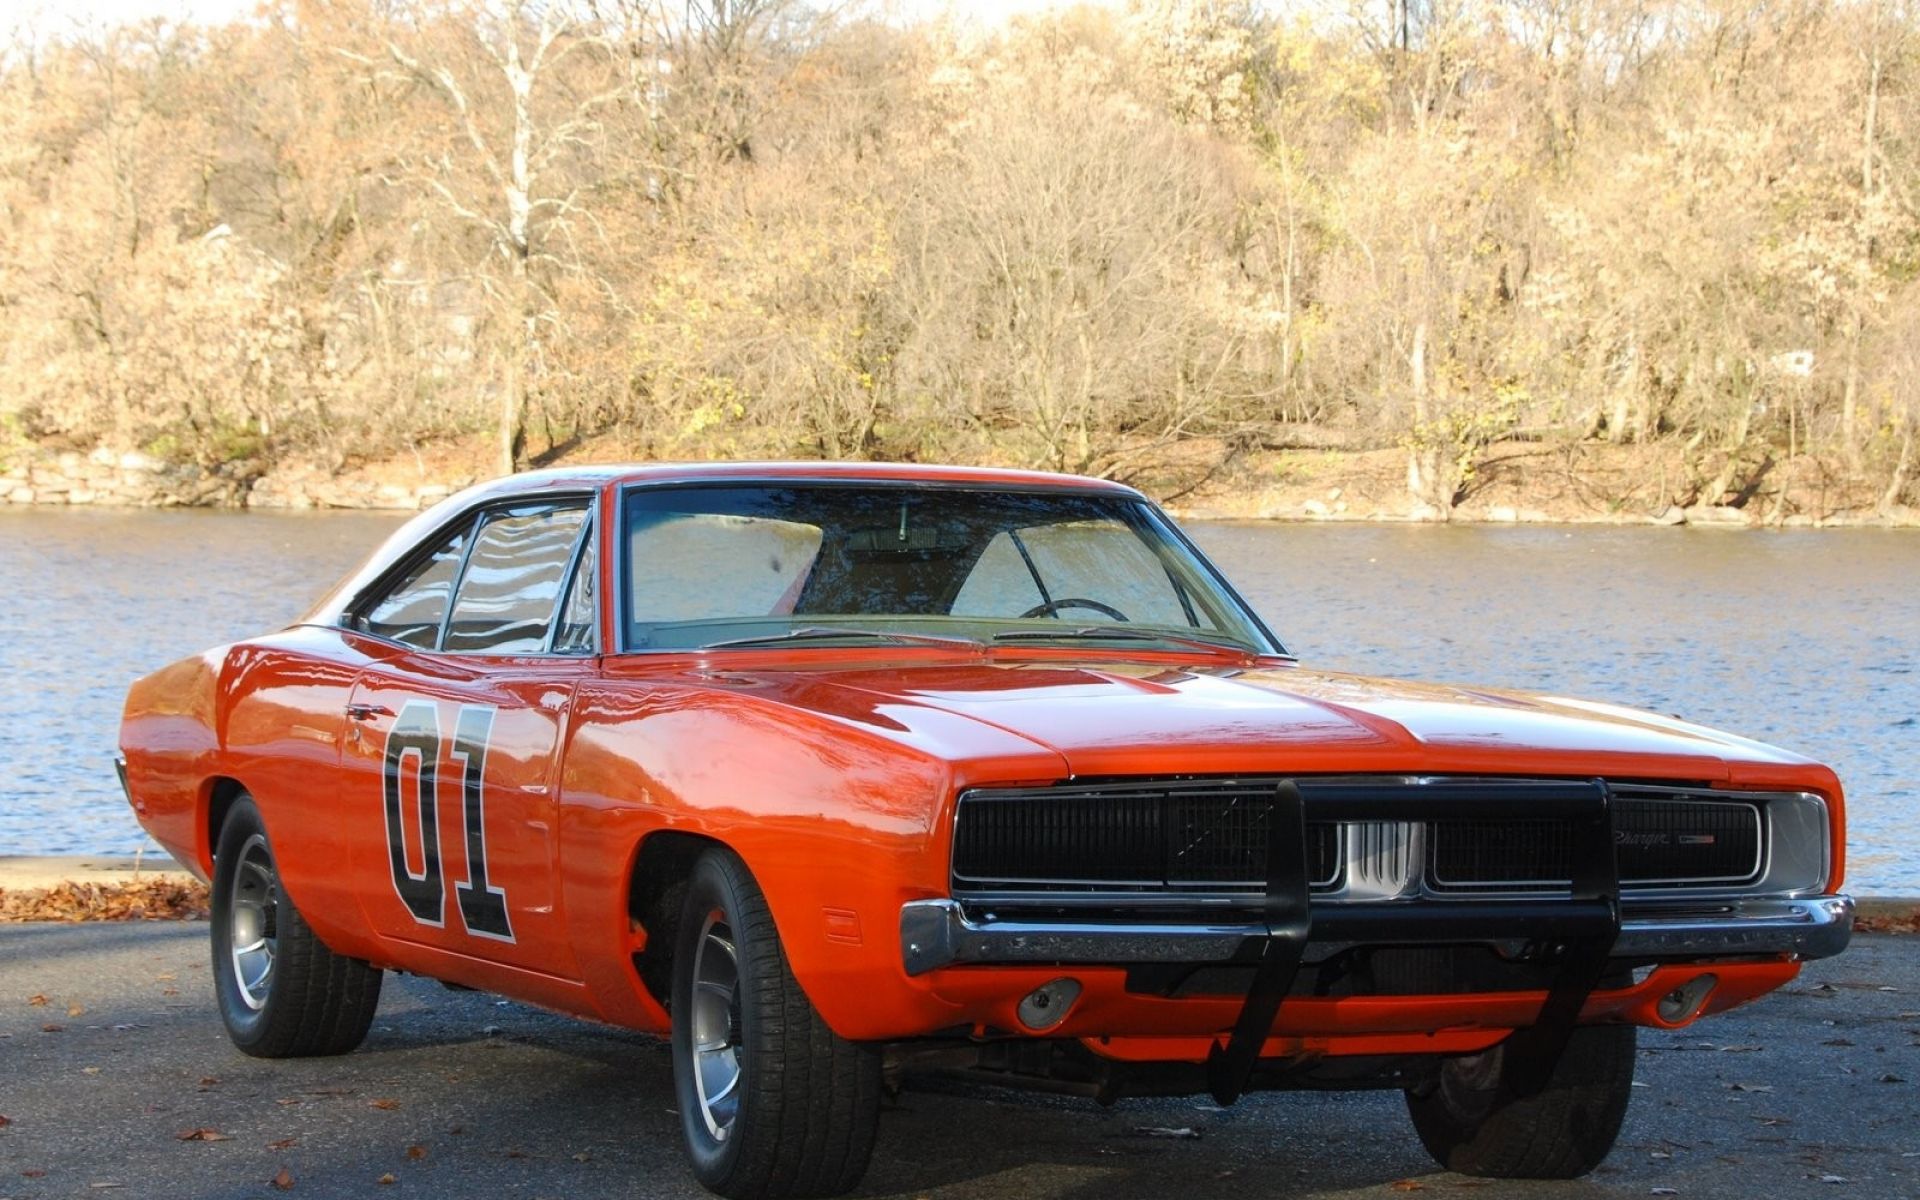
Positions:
{"x": 823, "y": 564}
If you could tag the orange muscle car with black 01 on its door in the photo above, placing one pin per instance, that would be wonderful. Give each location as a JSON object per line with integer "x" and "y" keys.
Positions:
{"x": 842, "y": 773}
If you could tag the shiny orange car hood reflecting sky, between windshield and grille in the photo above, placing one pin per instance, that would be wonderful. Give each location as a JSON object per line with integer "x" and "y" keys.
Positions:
{"x": 1118, "y": 719}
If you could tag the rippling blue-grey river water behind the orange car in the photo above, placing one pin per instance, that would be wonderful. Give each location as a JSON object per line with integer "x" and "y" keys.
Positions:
{"x": 1808, "y": 640}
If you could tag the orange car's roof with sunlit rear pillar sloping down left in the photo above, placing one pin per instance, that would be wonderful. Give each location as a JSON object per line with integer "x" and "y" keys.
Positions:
{"x": 621, "y": 475}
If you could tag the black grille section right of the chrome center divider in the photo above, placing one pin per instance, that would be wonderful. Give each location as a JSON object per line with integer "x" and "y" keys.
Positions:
{"x": 1656, "y": 844}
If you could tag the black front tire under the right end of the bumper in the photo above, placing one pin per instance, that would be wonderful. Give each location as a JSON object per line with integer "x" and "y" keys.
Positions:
{"x": 1474, "y": 1120}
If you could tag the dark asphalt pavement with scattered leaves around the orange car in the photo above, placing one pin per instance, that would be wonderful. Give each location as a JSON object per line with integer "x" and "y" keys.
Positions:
{"x": 116, "y": 1078}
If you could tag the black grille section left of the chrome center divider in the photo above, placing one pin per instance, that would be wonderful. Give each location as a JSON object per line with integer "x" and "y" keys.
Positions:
{"x": 1126, "y": 838}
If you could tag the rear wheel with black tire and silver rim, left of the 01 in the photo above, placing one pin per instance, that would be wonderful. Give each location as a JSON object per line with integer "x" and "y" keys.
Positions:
{"x": 300, "y": 999}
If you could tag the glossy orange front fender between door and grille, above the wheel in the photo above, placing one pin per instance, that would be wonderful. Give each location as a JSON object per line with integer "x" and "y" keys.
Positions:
{"x": 838, "y": 821}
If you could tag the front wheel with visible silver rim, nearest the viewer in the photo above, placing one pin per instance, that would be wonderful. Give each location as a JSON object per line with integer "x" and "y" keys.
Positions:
{"x": 804, "y": 1107}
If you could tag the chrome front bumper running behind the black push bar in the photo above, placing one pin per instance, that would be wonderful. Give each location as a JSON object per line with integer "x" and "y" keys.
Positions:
{"x": 938, "y": 934}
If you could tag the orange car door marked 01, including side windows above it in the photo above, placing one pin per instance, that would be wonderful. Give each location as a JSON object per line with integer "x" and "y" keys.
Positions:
{"x": 454, "y": 732}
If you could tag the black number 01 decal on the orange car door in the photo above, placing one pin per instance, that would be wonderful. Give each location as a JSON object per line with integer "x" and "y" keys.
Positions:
{"x": 418, "y": 734}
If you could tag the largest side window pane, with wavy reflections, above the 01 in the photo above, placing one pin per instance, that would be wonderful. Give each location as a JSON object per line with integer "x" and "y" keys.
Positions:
{"x": 514, "y": 579}
